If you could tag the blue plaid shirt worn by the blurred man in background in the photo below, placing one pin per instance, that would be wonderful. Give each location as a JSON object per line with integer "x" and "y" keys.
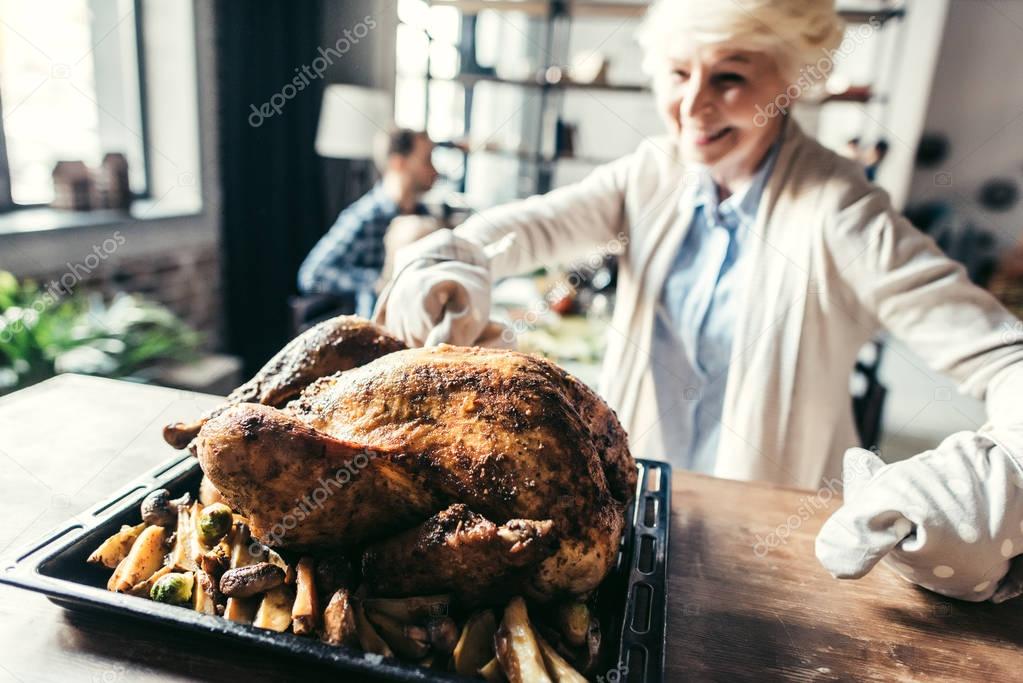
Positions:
{"x": 350, "y": 257}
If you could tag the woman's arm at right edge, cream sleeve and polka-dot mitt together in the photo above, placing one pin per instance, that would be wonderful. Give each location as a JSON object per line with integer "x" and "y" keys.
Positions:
{"x": 949, "y": 520}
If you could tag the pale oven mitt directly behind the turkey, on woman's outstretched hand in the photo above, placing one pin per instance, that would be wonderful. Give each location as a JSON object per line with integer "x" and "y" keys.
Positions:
{"x": 440, "y": 294}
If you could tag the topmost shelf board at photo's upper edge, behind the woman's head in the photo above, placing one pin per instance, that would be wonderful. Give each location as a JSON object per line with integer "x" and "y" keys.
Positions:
{"x": 619, "y": 10}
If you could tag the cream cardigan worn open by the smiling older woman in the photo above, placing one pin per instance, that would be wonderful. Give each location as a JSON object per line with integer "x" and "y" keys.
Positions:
{"x": 830, "y": 262}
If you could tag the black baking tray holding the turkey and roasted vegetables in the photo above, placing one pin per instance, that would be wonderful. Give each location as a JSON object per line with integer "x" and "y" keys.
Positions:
{"x": 633, "y": 600}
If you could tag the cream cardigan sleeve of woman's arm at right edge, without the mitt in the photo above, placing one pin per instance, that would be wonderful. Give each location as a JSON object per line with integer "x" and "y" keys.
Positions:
{"x": 925, "y": 299}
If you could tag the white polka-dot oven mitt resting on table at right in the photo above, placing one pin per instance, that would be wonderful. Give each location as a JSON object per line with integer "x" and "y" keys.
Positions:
{"x": 948, "y": 520}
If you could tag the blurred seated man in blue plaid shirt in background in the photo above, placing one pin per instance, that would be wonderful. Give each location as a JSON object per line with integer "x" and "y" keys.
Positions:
{"x": 348, "y": 261}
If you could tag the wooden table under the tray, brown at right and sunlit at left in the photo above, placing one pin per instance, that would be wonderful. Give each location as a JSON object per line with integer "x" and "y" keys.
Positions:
{"x": 739, "y": 609}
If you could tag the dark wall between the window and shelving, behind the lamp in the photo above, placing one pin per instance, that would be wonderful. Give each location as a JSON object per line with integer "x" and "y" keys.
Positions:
{"x": 275, "y": 187}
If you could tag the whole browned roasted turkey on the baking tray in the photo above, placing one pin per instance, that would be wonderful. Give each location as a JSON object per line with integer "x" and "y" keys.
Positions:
{"x": 474, "y": 472}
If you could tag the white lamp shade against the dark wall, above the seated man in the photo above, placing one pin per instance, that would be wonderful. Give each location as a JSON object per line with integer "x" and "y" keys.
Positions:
{"x": 351, "y": 117}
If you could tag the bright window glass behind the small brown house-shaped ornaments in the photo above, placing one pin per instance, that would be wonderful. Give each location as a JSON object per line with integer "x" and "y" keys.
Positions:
{"x": 70, "y": 90}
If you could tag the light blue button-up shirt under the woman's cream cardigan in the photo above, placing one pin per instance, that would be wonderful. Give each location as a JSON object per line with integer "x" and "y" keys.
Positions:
{"x": 696, "y": 321}
